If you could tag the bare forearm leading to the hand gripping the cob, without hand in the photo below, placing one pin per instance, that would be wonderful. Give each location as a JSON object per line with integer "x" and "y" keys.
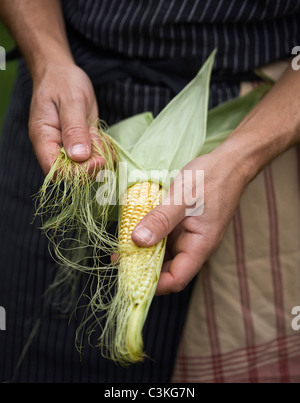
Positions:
{"x": 270, "y": 129}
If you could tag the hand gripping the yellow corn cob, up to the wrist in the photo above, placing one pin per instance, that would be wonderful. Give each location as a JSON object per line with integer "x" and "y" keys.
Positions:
{"x": 192, "y": 239}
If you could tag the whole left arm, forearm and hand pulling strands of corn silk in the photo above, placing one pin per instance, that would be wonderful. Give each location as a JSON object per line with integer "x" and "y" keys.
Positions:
{"x": 63, "y": 101}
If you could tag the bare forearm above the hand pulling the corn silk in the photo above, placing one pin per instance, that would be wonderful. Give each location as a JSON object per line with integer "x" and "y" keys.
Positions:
{"x": 38, "y": 28}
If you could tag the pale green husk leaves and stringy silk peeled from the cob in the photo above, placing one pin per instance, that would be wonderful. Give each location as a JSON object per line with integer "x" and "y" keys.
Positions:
{"x": 154, "y": 147}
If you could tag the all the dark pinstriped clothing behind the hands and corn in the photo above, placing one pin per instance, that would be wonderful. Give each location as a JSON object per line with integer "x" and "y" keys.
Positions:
{"x": 138, "y": 54}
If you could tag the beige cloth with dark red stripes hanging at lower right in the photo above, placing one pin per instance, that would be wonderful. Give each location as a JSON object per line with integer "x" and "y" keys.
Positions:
{"x": 239, "y": 325}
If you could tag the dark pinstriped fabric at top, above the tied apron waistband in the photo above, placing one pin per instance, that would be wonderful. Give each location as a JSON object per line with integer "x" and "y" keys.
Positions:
{"x": 247, "y": 33}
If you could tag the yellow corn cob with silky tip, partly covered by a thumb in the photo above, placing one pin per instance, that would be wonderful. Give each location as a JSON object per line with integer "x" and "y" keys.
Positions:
{"x": 138, "y": 273}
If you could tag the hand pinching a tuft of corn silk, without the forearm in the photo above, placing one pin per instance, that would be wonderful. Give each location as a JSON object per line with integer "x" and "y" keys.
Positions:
{"x": 63, "y": 104}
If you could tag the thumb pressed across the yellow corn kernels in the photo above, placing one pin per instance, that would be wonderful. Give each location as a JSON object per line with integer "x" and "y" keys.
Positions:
{"x": 157, "y": 224}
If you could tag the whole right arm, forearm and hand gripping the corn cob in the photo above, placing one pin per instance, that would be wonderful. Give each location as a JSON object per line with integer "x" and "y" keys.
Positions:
{"x": 268, "y": 130}
